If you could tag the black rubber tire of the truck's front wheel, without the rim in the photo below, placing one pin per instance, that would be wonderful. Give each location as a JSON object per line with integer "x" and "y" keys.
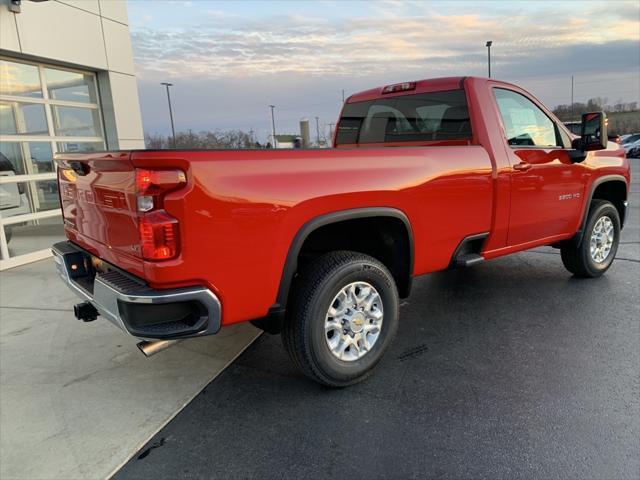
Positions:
{"x": 578, "y": 259}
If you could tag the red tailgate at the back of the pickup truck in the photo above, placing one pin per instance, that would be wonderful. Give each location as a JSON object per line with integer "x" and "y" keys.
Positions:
{"x": 98, "y": 196}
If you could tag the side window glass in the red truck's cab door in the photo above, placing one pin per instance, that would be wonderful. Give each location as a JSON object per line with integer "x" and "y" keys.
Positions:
{"x": 524, "y": 122}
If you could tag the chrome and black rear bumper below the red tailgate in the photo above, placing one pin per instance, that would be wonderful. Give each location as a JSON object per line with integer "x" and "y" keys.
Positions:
{"x": 136, "y": 308}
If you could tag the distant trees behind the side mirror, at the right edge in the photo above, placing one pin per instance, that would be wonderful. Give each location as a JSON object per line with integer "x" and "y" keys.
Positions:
{"x": 624, "y": 117}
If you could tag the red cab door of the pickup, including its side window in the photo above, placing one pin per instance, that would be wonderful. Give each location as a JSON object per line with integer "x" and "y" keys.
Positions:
{"x": 546, "y": 187}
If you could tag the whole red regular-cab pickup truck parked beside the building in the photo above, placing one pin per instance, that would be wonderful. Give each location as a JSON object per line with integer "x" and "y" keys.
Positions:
{"x": 321, "y": 244}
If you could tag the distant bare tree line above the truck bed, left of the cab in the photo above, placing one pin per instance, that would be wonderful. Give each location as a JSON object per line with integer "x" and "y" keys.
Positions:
{"x": 206, "y": 140}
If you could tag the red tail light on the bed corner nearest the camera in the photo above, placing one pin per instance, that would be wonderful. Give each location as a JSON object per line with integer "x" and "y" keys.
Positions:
{"x": 159, "y": 231}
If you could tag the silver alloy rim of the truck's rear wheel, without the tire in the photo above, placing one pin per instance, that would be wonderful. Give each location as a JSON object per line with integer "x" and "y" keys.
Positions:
{"x": 354, "y": 321}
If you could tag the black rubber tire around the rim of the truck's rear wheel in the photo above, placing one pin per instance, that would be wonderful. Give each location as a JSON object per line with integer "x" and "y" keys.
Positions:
{"x": 304, "y": 335}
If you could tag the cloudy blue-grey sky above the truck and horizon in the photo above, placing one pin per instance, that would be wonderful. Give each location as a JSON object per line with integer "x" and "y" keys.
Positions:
{"x": 230, "y": 60}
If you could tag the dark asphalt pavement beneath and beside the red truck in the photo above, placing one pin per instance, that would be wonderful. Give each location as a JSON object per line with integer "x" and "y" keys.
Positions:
{"x": 511, "y": 369}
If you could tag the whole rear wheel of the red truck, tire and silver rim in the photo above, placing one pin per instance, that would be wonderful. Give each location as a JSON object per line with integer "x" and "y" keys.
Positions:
{"x": 342, "y": 317}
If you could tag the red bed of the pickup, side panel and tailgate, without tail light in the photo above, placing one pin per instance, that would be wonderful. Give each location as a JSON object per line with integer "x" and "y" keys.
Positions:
{"x": 241, "y": 209}
